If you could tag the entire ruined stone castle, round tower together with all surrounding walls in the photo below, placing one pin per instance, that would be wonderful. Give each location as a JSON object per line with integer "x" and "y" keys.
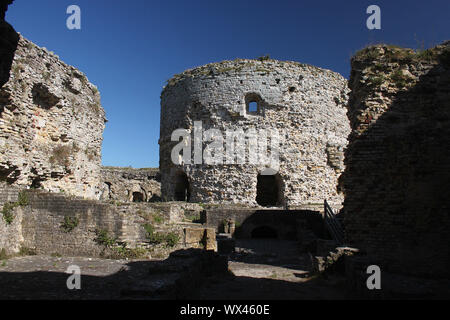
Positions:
{"x": 374, "y": 147}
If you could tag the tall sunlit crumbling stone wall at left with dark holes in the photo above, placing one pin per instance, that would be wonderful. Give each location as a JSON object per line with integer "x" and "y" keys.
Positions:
{"x": 51, "y": 123}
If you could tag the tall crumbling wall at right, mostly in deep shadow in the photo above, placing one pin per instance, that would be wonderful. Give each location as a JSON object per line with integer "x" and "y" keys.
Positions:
{"x": 397, "y": 178}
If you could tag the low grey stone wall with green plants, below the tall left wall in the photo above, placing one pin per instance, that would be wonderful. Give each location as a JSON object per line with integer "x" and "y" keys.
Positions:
{"x": 40, "y": 225}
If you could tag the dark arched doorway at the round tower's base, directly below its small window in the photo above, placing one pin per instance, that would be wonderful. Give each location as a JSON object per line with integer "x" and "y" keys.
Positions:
{"x": 268, "y": 190}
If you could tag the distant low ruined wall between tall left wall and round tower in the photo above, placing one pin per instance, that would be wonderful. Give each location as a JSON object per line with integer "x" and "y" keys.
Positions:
{"x": 128, "y": 184}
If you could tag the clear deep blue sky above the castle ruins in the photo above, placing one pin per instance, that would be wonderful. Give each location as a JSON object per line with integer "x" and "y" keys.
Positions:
{"x": 130, "y": 48}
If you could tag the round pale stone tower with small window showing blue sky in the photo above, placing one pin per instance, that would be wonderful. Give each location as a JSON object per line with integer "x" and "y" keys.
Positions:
{"x": 295, "y": 110}
